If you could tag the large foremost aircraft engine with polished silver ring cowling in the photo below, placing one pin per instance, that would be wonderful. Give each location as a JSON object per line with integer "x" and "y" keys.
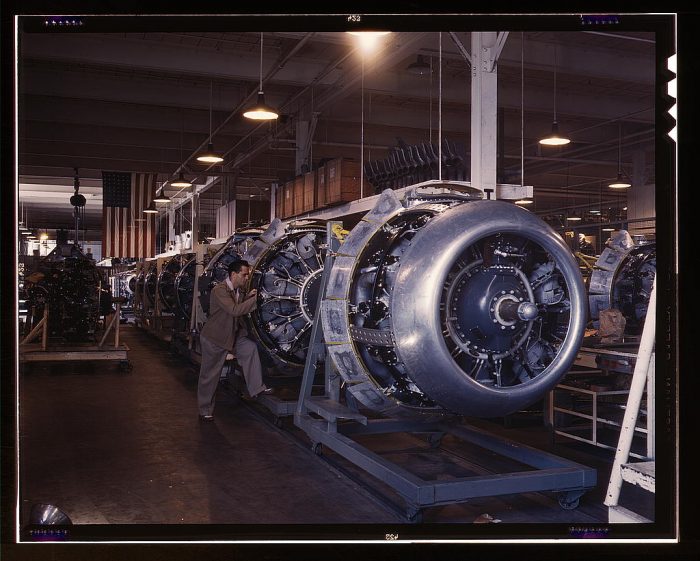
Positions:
{"x": 466, "y": 306}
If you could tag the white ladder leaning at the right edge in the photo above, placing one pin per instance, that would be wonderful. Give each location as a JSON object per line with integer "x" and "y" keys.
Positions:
{"x": 641, "y": 474}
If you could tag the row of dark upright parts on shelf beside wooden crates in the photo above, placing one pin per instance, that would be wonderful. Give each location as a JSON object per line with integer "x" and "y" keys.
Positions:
{"x": 408, "y": 165}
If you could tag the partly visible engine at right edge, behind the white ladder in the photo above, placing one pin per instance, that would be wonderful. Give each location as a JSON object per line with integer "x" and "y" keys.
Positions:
{"x": 622, "y": 279}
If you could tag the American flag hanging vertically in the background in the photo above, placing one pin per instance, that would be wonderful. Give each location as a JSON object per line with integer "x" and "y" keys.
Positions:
{"x": 126, "y": 230}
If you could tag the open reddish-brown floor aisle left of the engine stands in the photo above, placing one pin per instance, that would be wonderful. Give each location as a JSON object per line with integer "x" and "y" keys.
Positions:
{"x": 109, "y": 447}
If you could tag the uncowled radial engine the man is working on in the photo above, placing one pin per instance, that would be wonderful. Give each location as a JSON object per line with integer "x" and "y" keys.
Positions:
{"x": 288, "y": 266}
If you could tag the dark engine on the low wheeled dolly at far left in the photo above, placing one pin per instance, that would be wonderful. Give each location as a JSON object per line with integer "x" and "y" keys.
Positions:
{"x": 68, "y": 282}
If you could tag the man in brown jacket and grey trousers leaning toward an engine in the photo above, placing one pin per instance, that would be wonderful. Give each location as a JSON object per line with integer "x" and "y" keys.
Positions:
{"x": 224, "y": 332}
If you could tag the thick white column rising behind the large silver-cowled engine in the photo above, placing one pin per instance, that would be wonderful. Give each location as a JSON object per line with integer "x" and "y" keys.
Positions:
{"x": 484, "y": 117}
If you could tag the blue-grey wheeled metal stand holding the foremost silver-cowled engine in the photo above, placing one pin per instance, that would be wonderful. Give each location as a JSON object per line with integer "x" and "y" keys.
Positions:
{"x": 329, "y": 422}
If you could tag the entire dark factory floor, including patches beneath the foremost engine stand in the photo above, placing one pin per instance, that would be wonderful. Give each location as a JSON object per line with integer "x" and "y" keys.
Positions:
{"x": 113, "y": 448}
